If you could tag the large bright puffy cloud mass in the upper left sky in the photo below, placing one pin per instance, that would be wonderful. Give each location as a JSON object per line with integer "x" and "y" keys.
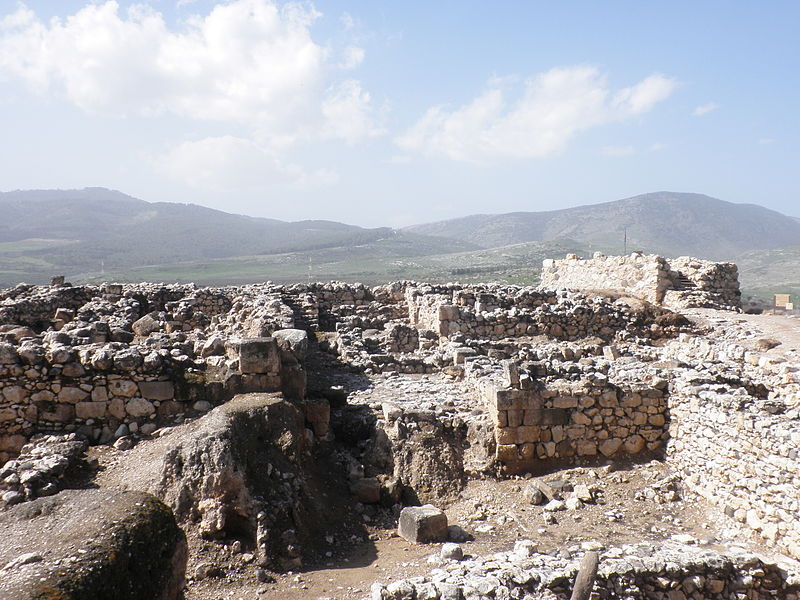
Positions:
{"x": 246, "y": 61}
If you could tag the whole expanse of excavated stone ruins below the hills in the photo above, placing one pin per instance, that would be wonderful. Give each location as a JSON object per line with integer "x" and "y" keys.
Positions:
{"x": 252, "y": 431}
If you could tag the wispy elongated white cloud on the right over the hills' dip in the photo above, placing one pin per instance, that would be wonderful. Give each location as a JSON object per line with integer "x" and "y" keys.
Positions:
{"x": 551, "y": 109}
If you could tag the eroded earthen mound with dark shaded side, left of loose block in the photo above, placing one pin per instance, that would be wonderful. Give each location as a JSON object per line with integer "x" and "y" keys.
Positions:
{"x": 238, "y": 473}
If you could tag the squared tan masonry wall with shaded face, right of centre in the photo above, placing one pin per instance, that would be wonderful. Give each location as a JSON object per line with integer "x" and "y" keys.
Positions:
{"x": 561, "y": 422}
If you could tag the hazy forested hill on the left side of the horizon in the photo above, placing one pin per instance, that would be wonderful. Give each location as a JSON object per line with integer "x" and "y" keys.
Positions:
{"x": 44, "y": 232}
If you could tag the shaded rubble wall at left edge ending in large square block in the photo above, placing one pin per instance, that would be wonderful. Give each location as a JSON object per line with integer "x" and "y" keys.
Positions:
{"x": 96, "y": 393}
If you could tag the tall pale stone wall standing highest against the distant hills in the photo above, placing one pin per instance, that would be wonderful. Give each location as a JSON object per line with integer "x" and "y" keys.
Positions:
{"x": 680, "y": 283}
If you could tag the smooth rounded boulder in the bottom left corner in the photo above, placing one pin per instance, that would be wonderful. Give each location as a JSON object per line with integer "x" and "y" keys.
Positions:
{"x": 91, "y": 545}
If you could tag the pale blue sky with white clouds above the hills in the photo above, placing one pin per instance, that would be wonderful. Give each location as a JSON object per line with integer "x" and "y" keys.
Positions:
{"x": 386, "y": 113}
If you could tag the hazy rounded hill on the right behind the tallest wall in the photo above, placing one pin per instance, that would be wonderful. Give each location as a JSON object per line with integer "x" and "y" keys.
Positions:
{"x": 668, "y": 223}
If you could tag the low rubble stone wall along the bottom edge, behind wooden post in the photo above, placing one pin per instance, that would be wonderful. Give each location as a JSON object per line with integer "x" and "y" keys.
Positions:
{"x": 667, "y": 571}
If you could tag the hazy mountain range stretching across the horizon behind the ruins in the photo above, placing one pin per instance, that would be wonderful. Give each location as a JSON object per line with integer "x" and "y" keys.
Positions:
{"x": 95, "y": 233}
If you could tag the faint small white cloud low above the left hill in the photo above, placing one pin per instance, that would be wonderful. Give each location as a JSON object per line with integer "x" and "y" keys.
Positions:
{"x": 229, "y": 163}
